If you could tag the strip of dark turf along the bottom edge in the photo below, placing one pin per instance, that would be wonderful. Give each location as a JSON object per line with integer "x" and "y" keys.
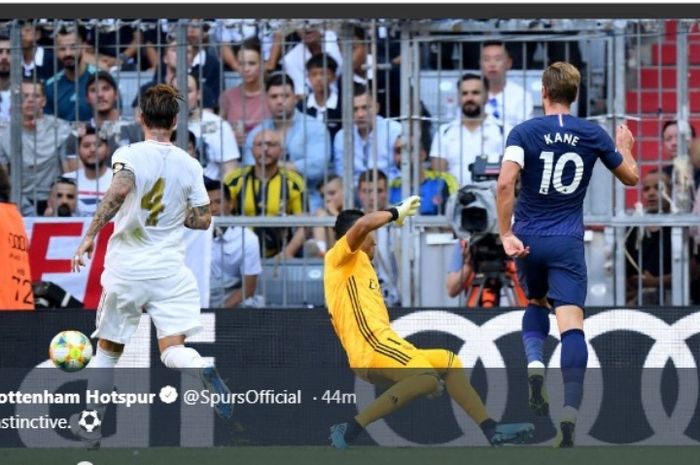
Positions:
{"x": 514, "y": 455}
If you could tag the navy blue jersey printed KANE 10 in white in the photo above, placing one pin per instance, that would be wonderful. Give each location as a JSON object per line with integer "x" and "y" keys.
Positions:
{"x": 557, "y": 154}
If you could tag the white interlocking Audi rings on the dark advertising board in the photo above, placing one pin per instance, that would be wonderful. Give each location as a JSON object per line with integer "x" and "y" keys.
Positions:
{"x": 479, "y": 343}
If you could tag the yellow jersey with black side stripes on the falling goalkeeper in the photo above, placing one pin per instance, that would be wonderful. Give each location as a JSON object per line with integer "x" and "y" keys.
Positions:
{"x": 356, "y": 306}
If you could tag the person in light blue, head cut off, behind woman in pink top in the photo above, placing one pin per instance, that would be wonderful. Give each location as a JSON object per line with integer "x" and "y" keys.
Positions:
{"x": 231, "y": 32}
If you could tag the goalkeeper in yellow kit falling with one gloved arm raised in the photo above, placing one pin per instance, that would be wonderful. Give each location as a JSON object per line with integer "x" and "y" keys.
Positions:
{"x": 375, "y": 352}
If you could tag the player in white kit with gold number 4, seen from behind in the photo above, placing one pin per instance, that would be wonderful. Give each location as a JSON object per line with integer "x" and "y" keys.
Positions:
{"x": 156, "y": 189}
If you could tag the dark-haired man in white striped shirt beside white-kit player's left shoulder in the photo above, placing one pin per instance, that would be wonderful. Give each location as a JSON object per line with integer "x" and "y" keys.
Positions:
{"x": 94, "y": 176}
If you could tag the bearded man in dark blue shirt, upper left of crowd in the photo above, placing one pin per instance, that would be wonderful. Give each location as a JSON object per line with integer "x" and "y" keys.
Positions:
{"x": 62, "y": 86}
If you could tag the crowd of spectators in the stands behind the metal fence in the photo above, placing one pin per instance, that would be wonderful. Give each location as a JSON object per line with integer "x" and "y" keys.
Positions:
{"x": 273, "y": 144}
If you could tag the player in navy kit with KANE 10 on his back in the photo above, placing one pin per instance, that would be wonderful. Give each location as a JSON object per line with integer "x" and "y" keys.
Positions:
{"x": 554, "y": 156}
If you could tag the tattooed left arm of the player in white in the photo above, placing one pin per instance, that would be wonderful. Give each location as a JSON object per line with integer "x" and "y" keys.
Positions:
{"x": 123, "y": 182}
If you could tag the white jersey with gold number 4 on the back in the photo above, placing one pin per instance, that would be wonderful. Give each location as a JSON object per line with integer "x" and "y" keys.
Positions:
{"x": 147, "y": 242}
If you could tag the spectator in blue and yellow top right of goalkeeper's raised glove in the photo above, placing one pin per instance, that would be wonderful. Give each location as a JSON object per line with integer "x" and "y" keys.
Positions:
{"x": 435, "y": 186}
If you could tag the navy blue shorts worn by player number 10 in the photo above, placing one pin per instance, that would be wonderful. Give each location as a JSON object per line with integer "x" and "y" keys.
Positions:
{"x": 555, "y": 268}
